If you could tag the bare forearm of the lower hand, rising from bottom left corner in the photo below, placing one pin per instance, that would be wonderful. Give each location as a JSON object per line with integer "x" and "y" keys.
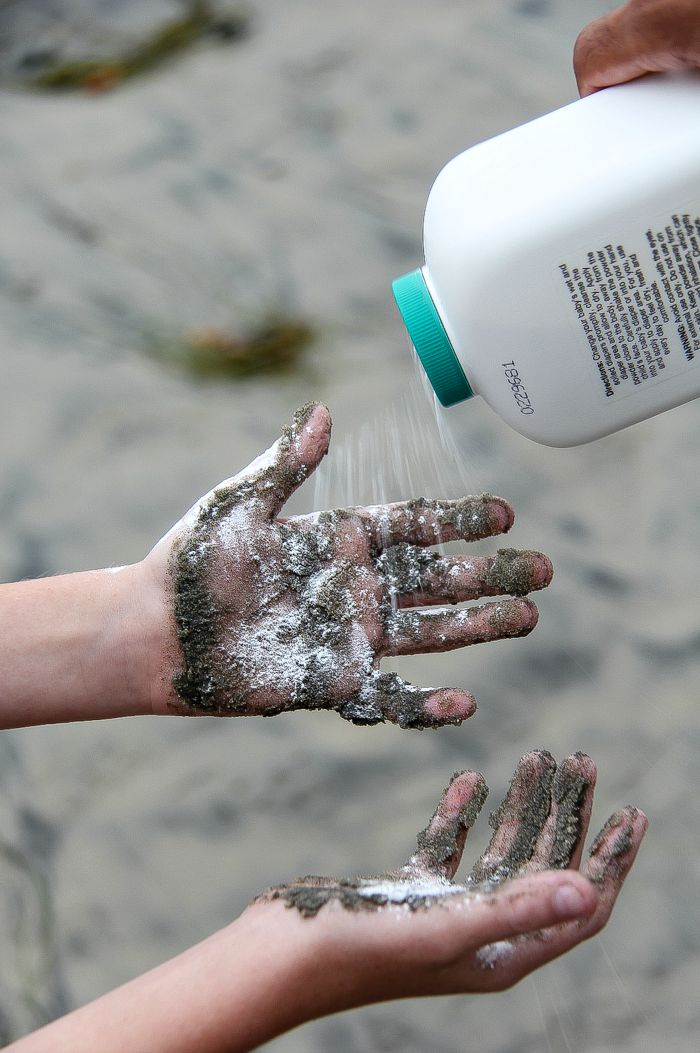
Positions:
{"x": 249, "y": 983}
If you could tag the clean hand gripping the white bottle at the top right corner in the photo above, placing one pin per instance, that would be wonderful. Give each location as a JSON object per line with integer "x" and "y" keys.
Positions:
{"x": 641, "y": 37}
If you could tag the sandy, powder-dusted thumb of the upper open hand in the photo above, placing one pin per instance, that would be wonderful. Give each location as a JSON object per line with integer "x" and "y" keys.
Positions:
{"x": 293, "y": 459}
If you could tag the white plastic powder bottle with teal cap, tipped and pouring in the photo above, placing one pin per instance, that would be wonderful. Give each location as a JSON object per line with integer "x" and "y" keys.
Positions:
{"x": 563, "y": 266}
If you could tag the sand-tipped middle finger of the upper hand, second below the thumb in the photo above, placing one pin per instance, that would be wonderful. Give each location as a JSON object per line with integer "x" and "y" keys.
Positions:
{"x": 421, "y": 579}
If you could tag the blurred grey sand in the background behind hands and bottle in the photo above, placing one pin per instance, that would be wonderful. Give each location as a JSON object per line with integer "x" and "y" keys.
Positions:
{"x": 290, "y": 172}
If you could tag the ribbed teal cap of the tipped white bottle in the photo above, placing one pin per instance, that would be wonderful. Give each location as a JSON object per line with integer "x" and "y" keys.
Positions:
{"x": 430, "y": 340}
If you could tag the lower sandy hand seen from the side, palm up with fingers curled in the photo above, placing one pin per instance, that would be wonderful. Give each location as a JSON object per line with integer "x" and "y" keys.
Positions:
{"x": 527, "y": 901}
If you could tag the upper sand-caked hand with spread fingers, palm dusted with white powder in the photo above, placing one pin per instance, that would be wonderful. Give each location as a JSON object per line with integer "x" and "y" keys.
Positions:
{"x": 283, "y": 614}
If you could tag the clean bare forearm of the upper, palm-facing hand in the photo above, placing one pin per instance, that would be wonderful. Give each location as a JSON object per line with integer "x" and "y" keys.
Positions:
{"x": 79, "y": 647}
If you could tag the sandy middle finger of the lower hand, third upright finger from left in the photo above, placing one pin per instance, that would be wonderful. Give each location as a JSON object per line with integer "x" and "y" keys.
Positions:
{"x": 561, "y": 844}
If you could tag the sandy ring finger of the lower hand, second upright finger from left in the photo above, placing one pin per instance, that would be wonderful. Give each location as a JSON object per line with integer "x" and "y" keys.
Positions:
{"x": 521, "y": 820}
